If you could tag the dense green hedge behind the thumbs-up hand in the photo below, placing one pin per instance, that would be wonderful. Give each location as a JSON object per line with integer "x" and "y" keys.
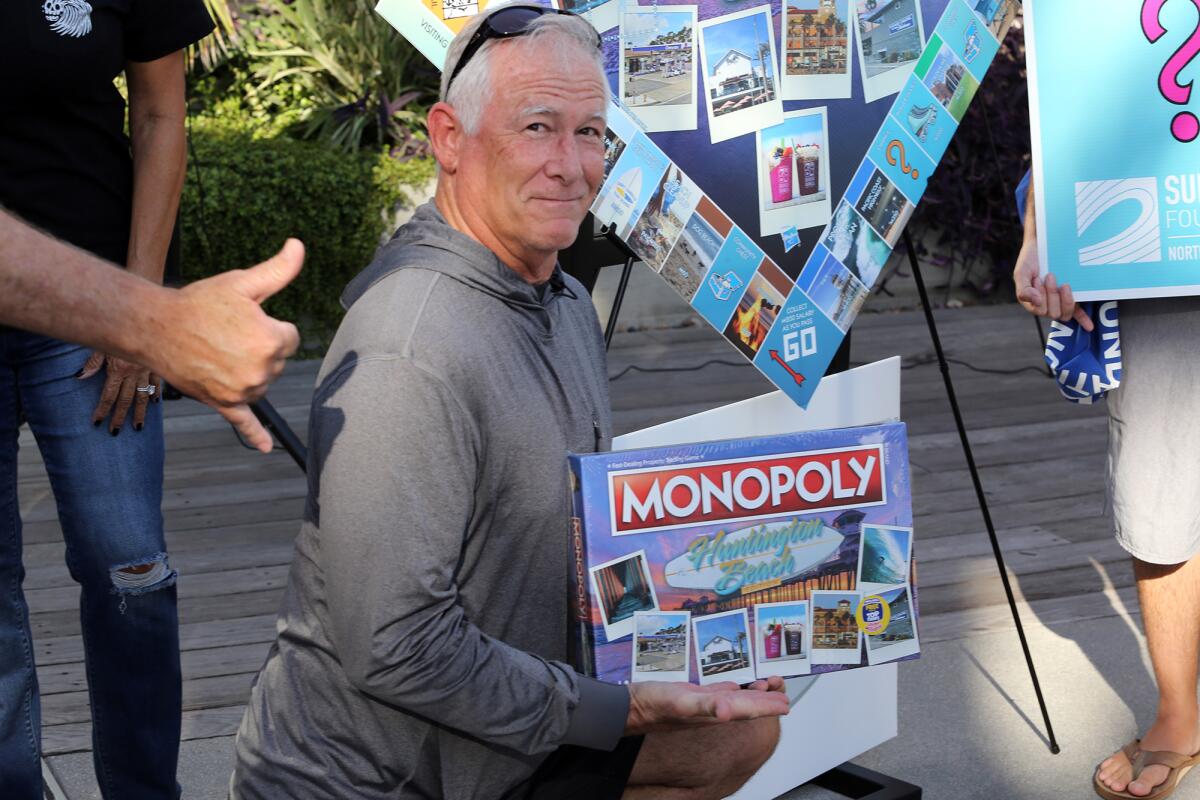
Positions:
{"x": 245, "y": 195}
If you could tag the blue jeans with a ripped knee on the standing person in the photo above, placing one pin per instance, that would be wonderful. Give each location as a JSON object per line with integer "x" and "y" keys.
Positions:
{"x": 109, "y": 492}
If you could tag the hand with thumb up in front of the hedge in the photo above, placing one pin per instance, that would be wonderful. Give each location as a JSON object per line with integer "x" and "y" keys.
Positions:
{"x": 223, "y": 350}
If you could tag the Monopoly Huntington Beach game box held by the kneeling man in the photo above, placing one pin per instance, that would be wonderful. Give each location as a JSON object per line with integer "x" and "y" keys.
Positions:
{"x": 745, "y": 558}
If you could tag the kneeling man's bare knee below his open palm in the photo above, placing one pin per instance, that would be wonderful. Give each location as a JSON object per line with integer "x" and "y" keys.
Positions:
{"x": 701, "y": 763}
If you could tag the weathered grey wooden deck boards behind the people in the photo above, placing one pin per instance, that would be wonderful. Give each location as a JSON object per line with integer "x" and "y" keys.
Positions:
{"x": 232, "y": 514}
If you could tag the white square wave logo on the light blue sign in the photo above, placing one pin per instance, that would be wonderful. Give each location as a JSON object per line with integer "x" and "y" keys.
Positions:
{"x": 1141, "y": 243}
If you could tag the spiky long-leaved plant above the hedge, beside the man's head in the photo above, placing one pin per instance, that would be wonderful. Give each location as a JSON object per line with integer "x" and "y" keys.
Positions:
{"x": 367, "y": 85}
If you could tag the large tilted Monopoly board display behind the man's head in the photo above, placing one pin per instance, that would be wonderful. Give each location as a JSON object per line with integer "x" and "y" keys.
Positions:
{"x": 736, "y": 141}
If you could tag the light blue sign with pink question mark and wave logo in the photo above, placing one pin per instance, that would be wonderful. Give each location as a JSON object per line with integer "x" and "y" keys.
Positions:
{"x": 1118, "y": 210}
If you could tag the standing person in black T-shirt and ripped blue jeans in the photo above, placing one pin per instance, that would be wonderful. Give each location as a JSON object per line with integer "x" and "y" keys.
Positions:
{"x": 68, "y": 167}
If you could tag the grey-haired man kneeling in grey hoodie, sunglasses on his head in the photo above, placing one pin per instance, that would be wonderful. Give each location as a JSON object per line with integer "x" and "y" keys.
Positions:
{"x": 422, "y": 643}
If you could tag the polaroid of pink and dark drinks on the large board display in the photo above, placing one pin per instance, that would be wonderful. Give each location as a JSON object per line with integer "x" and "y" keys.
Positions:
{"x": 794, "y": 173}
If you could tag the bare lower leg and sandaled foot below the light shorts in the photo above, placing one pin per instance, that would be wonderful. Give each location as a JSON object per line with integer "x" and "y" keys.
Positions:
{"x": 1171, "y": 612}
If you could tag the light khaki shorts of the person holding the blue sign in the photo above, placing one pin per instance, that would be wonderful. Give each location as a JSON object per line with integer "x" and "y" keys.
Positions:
{"x": 1155, "y": 431}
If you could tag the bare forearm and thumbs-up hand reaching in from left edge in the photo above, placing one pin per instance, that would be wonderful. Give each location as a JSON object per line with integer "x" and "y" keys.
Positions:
{"x": 212, "y": 340}
